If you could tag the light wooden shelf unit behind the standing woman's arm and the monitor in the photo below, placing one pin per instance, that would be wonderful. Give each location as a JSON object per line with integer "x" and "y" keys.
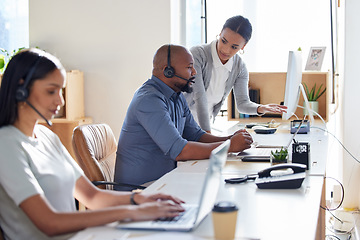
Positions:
{"x": 271, "y": 86}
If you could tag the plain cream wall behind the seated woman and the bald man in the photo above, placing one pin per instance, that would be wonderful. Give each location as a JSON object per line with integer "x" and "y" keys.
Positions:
{"x": 111, "y": 41}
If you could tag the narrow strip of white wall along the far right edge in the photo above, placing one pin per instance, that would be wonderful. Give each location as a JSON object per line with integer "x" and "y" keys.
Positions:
{"x": 351, "y": 100}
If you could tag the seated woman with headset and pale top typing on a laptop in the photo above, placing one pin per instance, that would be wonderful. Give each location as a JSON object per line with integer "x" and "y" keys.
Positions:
{"x": 38, "y": 178}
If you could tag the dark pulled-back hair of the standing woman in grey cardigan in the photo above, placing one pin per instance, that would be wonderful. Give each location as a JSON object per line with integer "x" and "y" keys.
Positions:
{"x": 240, "y": 25}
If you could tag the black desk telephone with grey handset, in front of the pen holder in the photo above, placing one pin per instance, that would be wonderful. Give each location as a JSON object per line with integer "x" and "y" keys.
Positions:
{"x": 281, "y": 176}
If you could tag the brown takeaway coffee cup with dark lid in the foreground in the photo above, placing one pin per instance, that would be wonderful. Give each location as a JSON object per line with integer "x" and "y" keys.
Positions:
{"x": 224, "y": 216}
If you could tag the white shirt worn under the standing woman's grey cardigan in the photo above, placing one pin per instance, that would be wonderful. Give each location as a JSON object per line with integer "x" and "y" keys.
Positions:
{"x": 220, "y": 74}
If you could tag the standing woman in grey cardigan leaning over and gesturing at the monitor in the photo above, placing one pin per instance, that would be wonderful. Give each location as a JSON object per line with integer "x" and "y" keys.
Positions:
{"x": 219, "y": 69}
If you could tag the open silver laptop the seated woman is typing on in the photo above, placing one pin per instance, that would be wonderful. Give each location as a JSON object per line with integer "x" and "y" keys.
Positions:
{"x": 194, "y": 213}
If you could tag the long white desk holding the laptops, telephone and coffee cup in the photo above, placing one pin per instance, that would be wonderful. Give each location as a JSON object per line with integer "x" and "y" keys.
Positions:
{"x": 264, "y": 214}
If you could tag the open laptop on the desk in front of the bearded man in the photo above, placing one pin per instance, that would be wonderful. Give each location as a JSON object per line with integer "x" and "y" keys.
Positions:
{"x": 262, "y": 153}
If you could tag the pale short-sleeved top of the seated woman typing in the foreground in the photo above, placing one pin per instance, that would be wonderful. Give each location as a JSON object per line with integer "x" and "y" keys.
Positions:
{"x": 31, "y": 166}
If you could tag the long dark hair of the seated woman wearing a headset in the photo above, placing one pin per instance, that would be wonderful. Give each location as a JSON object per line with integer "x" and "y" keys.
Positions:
{"x": 17, "y": 69}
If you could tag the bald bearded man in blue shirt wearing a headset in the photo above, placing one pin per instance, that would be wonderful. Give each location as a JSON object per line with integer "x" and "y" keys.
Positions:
{"x": 159, "y": 129}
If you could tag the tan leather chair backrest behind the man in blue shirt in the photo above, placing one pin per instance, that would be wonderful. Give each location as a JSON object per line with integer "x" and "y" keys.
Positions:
{"x": 95, "y": 150}
